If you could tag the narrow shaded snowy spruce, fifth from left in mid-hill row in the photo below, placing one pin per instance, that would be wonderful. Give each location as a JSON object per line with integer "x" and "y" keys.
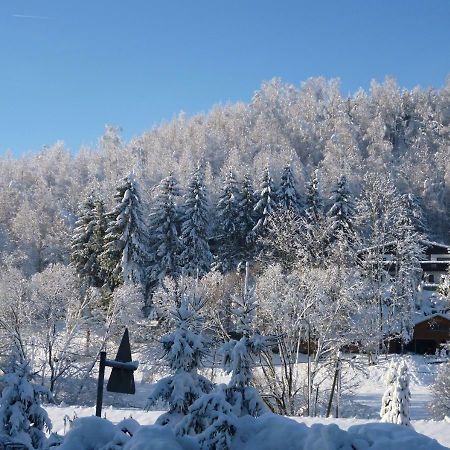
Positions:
{"x": 228, "y": 230}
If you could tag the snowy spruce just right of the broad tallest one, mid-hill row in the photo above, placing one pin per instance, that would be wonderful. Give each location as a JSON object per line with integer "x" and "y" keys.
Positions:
{"x": 164, "y": 232}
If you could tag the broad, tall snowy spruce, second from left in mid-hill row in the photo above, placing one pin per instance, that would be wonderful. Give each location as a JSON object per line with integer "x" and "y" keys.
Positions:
{"x": 126, "y": 252}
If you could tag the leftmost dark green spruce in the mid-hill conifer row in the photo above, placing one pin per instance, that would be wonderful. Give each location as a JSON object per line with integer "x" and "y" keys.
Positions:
{"x": 87, "y": 241}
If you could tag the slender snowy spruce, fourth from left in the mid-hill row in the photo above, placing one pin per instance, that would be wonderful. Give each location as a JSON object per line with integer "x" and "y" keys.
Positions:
{"x": 196, "y": 255}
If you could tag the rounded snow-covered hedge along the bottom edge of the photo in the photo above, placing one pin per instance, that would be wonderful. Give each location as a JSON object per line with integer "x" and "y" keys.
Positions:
{"x": 268, "y": 432}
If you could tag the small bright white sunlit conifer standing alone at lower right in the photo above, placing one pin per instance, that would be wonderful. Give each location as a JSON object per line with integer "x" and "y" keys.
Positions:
{"x": 396, "y": 400}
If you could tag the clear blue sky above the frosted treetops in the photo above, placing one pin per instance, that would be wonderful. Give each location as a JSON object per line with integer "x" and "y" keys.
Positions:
{"x": 69, "y": 67}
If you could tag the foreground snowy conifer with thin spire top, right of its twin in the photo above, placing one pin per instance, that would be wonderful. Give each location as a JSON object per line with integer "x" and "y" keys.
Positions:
{"x": 238, "y": 355}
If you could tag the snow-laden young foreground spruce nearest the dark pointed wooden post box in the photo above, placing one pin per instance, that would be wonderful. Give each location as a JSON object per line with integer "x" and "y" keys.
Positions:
{"x": 184, "y": 349}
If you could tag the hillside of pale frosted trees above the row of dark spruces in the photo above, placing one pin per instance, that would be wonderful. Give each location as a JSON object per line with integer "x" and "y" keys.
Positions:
{"x": 403, "y": 134}
